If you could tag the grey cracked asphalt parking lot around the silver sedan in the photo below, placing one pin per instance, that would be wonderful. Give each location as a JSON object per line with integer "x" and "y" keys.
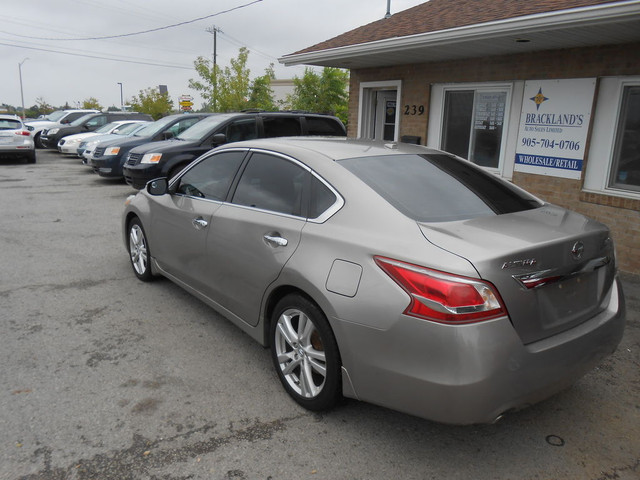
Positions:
{"x": 104, "y": 377}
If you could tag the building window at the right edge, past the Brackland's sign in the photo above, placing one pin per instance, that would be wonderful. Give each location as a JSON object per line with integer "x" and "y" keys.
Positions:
{"x": 625, "y": 166}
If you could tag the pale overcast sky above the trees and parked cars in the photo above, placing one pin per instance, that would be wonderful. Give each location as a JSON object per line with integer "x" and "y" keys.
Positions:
{"x": 74, "y": 69}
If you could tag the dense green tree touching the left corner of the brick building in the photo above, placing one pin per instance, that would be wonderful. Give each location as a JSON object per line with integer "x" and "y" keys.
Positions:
{"x": 322, "y": 93}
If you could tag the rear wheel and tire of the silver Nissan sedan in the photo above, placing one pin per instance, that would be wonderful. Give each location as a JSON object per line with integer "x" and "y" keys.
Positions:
{"x": 305, "y": 353}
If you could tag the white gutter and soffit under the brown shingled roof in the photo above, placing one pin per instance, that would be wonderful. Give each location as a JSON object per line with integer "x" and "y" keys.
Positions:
{"x": 605, "y": 24}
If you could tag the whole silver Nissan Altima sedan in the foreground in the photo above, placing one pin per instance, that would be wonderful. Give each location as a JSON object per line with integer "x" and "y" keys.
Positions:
{"x": 389, "y": 273}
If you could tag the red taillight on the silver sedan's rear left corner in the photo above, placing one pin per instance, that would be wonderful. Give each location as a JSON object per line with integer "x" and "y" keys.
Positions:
{"x": 443, "y": 297}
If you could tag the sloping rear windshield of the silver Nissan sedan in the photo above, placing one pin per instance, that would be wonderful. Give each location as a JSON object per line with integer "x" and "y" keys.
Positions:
{"x": 438, "y": 187}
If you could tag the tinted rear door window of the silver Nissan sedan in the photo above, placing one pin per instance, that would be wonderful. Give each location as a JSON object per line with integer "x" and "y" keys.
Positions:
{"x": 272, "y": 183}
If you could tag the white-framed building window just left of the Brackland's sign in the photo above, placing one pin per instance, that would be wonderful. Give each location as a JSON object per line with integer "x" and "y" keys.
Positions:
{"x": 473, "y": 125}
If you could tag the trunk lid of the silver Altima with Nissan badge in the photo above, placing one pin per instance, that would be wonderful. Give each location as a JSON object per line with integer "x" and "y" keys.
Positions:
{"x": 553, "y": 268}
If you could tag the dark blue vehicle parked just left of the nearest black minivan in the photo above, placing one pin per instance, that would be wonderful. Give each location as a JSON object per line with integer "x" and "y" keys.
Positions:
{"x": 108, "y": 157}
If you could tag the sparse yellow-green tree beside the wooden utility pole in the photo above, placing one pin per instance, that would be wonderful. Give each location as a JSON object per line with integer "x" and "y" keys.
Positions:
{"x": 230, "y": 88}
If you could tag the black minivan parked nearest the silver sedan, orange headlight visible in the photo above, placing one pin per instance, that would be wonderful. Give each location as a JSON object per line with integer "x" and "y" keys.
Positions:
{"x": 165, "y": 159}
